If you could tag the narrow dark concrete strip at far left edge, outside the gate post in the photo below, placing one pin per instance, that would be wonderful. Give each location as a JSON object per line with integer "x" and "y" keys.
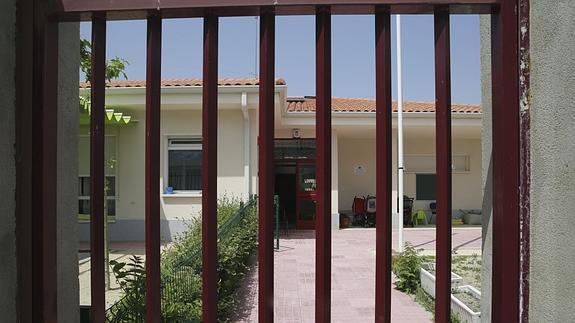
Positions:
{"x": 8, "y": 276}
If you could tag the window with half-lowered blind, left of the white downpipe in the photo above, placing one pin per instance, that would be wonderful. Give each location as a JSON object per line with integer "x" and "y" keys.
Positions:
{"x": 185, "y": 164}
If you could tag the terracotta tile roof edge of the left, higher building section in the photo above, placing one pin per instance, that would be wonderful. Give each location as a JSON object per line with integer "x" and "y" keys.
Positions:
{"x": 182, "y": 83}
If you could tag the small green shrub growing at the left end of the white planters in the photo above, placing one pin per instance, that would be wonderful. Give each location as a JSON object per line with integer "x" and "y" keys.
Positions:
{"x": 406, "y": 267}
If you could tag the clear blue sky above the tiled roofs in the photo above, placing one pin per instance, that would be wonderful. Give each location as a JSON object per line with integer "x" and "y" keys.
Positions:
{"x": 353, "y": 58}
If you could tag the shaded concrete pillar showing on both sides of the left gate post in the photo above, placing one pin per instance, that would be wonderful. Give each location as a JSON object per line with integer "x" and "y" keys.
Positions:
{"x": 68, "y": 107}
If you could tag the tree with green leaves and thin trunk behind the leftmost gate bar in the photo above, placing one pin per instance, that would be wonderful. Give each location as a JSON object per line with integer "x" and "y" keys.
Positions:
{"x": 115, "y": 68}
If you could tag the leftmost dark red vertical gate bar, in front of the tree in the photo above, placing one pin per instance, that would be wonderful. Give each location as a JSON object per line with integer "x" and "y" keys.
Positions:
{"x": 97, "y": 177}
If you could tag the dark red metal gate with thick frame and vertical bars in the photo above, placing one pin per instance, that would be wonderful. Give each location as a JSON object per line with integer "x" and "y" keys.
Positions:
{"x": 37, "y": 134}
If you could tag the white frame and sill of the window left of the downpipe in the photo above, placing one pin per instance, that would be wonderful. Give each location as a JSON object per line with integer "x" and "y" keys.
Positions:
{"x": 197, "y": 145}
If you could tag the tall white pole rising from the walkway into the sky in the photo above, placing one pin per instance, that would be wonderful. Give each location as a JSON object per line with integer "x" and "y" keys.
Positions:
{"x": 399, "y": 134}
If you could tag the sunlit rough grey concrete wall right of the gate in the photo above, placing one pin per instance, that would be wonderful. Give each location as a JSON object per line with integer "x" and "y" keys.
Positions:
{"x": 552, "y": 107}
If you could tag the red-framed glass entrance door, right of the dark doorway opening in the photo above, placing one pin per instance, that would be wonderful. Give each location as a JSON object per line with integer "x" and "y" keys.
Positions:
{"x": 306, "y": 196}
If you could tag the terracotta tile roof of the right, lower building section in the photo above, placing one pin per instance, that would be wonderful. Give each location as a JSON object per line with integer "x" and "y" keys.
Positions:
{"x": 307, "y": 104}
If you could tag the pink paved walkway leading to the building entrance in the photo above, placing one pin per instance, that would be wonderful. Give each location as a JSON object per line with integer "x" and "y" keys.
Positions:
{"x": 353, "y": 272}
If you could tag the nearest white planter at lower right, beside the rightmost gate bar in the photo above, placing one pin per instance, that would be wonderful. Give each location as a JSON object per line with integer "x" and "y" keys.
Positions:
{"x": 460, "y": 304}
